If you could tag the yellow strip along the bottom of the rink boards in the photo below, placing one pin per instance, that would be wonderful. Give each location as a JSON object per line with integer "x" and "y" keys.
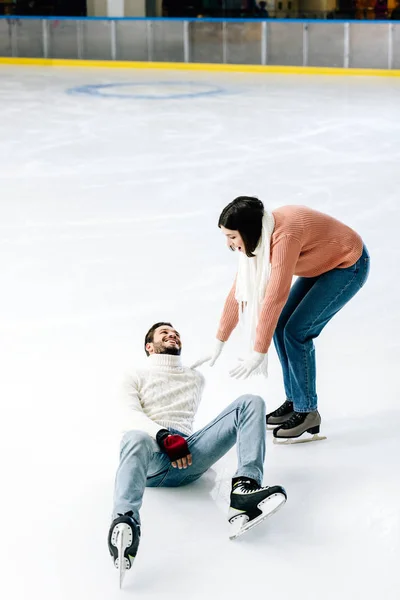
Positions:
{"x": 200, "y": 67}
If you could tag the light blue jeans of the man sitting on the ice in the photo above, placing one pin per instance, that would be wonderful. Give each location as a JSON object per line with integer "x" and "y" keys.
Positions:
{"x": 142, "y": 463}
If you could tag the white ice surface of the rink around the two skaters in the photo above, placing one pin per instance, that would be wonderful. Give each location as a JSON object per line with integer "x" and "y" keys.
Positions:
{"x": 111, "y": 185}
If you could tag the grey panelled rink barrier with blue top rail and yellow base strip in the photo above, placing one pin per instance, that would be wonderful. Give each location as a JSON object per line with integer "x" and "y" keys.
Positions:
{"x": 251, "y": 45}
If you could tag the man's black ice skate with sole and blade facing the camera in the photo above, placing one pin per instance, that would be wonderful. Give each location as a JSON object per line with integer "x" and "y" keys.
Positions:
{"x": 123, "y": 542}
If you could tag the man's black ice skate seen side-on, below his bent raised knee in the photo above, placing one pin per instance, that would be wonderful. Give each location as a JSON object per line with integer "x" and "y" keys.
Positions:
{"x": 251, "y": 504}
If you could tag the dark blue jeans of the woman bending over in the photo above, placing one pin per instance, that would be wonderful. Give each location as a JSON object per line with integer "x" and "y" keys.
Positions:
{"x": 312, "y": 302}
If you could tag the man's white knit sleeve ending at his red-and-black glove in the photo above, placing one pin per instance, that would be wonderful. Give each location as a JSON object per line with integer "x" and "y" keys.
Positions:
{"x": 132, "y": 412}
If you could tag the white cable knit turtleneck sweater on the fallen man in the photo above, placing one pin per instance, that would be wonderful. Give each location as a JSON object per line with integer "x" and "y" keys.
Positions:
{"x": 165, "y": 395}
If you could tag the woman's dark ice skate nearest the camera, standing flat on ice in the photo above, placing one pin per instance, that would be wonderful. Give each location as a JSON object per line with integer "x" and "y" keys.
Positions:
{"x": 301, "y": 427}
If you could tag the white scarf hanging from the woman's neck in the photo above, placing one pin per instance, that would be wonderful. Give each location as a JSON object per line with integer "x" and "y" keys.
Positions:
{"x": 251, "y": 283}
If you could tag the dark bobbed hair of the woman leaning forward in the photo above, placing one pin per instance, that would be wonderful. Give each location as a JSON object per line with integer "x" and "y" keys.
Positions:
{"x": 244, "y": 214}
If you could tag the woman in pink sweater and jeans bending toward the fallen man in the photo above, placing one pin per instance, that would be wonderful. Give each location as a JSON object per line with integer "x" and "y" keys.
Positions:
{"x": 332, "y": 264}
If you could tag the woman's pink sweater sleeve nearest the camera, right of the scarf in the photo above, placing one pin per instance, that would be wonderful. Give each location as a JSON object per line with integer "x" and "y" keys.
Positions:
{"x": 284, "y": 258}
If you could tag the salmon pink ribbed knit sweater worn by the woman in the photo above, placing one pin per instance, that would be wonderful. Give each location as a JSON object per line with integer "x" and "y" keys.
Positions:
{"x": 305, "y": 242}
